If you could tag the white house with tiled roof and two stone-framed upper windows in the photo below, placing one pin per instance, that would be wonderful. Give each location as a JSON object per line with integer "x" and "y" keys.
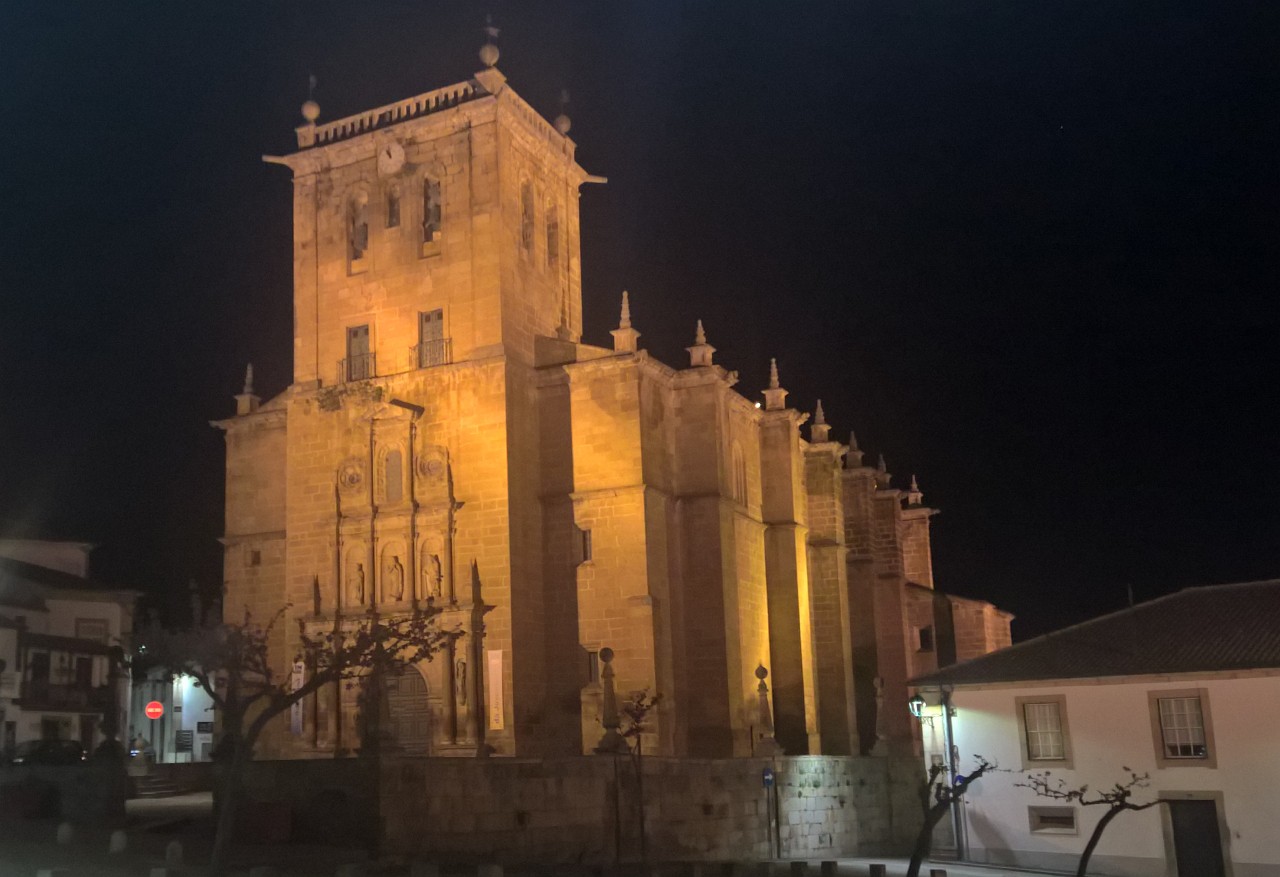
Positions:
{"x": 1185, "y": 689}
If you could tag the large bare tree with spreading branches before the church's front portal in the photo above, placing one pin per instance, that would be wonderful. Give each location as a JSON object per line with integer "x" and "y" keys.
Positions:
{"x": 232, "y": 664}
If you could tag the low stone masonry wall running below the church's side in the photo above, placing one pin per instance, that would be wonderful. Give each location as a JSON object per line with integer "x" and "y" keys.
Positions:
{"x": 588, "y": 810}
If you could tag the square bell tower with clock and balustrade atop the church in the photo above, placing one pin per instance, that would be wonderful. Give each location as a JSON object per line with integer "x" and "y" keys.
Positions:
{"x": 436, "y": 230}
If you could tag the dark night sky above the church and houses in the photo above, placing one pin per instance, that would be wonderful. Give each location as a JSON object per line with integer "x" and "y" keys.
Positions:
{"x": 1026, "y": 250}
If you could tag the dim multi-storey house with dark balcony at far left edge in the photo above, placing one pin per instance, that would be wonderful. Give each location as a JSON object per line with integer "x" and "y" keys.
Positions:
{"x": 57, "y": 633}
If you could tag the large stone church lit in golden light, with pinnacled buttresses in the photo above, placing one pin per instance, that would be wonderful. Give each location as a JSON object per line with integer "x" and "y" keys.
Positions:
{"x": 450, "y": 438}
